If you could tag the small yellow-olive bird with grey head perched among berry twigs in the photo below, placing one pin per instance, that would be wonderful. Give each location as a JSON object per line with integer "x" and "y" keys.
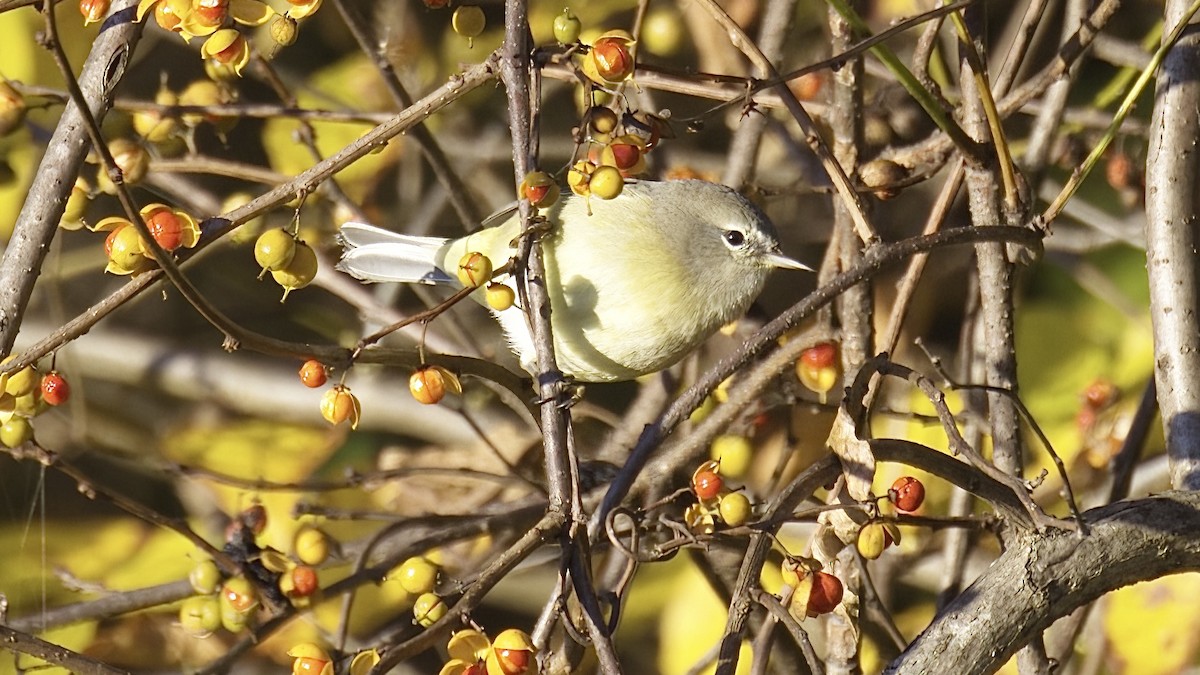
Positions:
{"x": 635, "y": 283}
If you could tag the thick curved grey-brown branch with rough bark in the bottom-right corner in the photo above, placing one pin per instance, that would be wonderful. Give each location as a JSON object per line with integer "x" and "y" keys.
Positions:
{"x": 1049, "y": 576}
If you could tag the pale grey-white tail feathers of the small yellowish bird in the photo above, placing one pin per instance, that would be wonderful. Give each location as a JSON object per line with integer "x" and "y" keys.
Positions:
{"x": 380, "y": 255}
